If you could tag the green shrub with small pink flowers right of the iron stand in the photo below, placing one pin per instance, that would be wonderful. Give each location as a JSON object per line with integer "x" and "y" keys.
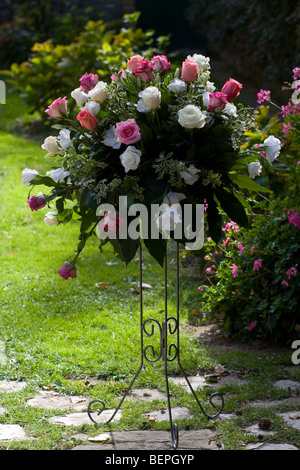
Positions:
{"x": 251, "y": 279}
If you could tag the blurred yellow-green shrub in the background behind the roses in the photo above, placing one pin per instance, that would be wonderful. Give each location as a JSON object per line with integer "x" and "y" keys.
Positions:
{"x": 53, "y": 70}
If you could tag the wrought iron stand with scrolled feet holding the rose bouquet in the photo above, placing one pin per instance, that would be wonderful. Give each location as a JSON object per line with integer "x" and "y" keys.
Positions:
{"x": 167, "y": 352}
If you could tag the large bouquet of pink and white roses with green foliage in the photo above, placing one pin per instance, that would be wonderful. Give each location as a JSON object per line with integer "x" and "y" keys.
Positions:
{"x": 152, "y": 137}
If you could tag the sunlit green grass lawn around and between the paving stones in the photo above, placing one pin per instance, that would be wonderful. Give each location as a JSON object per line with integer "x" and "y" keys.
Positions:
{"x": 60, "y": 334}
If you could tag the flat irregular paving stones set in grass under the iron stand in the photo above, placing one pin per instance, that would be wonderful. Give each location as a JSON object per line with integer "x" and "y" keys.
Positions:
{"x": 74, "y": 414}
